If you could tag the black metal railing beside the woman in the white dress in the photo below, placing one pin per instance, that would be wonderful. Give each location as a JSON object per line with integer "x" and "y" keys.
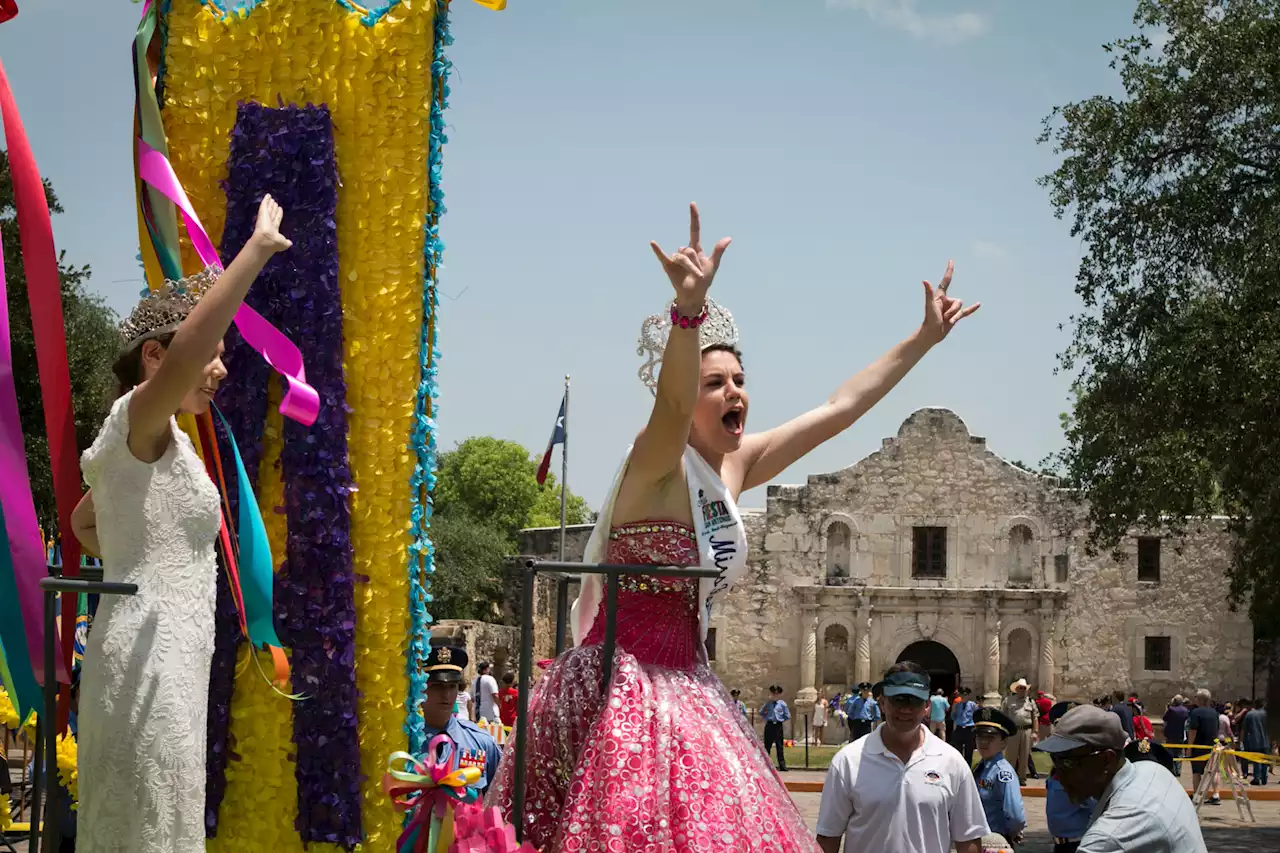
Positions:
{"x": 45, "y": 774}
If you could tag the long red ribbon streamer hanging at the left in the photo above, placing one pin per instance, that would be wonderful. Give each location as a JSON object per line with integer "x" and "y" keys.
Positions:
{"x": 44, "y": 294}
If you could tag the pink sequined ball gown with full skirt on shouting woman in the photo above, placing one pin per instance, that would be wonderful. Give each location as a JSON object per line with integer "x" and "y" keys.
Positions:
{"x": 666, "y": 763}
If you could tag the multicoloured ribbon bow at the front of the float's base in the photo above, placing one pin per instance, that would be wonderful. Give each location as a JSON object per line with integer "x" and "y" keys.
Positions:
{"x": 426, "y": 790}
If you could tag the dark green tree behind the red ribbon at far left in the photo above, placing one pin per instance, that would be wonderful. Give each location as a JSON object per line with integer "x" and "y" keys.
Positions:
{"x": 93, "y": 344}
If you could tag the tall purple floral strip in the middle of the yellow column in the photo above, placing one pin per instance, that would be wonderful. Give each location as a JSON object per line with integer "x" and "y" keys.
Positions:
{"x": 290, "y": 153}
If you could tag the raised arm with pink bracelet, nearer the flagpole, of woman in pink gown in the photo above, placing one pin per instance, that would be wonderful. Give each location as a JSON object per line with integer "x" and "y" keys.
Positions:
{"x": 661, "y": 445}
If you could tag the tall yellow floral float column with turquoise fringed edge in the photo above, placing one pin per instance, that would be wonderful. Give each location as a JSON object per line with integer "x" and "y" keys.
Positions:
{"x": 381, "y": 75}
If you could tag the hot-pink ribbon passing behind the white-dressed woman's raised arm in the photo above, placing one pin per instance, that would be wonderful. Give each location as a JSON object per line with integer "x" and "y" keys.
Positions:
{"x": 301, "y": 403}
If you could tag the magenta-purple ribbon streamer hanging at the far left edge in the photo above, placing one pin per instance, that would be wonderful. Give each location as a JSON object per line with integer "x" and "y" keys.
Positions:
{"x": 20, "y": 509}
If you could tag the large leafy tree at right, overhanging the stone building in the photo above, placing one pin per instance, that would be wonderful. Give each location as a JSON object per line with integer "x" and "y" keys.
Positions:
{"x": 1173, "y": 191}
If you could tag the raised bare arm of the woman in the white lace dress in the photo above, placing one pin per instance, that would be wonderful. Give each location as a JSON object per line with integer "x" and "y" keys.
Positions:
{"x": 198, "y": 339}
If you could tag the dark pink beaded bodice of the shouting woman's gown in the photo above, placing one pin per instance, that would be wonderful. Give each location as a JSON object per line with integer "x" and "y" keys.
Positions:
{"x": 657, "y": 618}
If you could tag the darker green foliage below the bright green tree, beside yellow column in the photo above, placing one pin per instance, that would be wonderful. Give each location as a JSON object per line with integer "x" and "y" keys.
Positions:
{"x": 469, "y": 558}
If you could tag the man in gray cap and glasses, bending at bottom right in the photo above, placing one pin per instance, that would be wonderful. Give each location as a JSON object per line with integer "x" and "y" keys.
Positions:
{"x": 1142, "y": 809}
